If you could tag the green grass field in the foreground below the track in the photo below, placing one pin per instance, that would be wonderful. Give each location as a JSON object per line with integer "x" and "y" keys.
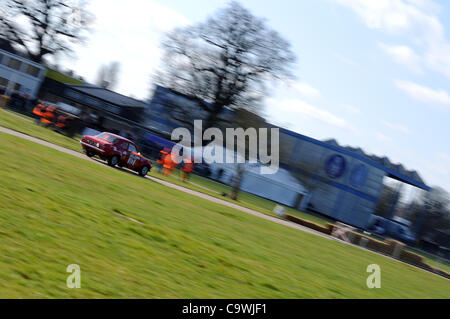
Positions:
{"x": 56, "y": 210}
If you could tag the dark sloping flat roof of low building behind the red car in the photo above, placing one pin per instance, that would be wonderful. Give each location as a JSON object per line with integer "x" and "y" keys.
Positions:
{"x": 109, "y": 96}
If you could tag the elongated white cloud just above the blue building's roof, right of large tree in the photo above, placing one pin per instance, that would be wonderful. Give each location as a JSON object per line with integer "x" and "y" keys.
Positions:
{"x": 298, "y": 108}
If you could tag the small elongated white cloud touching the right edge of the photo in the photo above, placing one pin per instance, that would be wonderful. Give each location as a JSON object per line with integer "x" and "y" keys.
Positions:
{"x": 424, "y": 93}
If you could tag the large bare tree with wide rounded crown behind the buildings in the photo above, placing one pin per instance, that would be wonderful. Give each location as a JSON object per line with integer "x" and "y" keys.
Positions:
{"x": 226, "y": 61}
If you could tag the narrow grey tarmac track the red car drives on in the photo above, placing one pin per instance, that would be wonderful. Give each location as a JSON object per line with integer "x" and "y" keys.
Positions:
{"x": 195, "y": 193}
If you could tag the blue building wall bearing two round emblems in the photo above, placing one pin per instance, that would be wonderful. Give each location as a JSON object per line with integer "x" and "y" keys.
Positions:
{"x": 347, "y": 190}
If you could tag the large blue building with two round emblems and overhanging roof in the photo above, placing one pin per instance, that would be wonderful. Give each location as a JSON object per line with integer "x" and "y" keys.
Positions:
{"x": 344, "y": 183}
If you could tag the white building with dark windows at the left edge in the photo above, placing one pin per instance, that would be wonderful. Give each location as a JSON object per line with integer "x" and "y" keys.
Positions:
{"x": 20, "y": 74}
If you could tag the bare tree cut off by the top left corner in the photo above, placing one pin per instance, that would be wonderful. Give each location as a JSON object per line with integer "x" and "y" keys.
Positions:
{"x": 44, "y": 28}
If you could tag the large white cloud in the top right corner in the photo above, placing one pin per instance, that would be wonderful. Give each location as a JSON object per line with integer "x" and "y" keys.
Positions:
{"x": 417, "y": 20}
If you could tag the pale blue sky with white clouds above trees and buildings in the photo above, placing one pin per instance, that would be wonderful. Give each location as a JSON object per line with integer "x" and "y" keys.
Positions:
{"x": 370, "y": 74}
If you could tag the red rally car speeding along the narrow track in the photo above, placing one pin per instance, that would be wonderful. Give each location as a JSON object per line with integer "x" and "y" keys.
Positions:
{"x": 116, "y": 150}
